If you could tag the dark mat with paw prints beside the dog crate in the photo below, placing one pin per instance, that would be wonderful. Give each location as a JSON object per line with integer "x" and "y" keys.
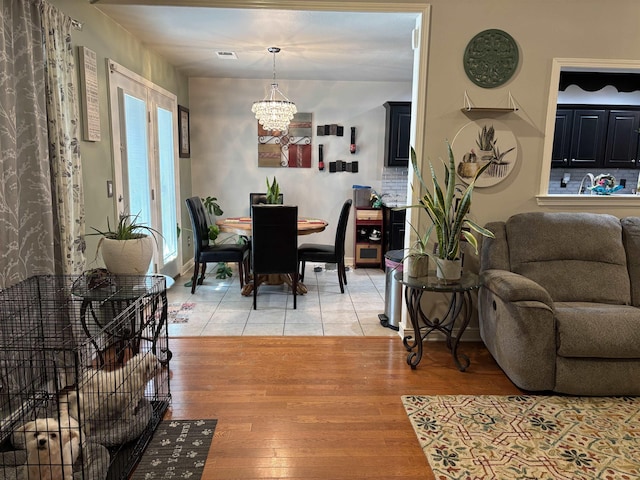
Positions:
{"x": 178, "y": 448}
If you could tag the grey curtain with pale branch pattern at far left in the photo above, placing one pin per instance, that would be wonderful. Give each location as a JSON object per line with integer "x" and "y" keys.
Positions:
{"x": 26, "y": 214}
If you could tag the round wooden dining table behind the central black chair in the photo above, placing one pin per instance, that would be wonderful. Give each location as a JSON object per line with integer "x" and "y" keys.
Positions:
{"x": 242, "y": 226}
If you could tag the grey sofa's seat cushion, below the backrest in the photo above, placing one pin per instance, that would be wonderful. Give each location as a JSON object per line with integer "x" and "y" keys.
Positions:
{"x": 597, "y": 330}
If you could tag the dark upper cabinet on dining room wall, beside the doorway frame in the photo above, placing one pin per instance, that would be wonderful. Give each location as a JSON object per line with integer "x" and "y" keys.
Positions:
{"x": 397, "y": 132}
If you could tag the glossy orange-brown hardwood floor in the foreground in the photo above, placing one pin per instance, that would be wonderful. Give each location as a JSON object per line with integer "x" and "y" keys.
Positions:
{"x": 316, "y": 407}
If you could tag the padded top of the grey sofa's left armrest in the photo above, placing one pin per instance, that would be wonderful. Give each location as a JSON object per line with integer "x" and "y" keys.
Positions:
{"x": 511, "y": 287}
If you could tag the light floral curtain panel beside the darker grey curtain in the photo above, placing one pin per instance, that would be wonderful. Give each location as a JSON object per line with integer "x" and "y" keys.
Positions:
{"x": 66, "y": 168}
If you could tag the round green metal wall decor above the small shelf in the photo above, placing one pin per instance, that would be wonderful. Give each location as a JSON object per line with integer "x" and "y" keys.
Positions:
{"x": 491, "y": 58}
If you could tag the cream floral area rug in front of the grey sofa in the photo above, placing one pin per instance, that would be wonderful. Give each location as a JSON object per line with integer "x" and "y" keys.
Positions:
{"x": 528, "y": 437}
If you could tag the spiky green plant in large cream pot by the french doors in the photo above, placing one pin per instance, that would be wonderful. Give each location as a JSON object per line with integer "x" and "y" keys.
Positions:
{"x": 127, "y": 249}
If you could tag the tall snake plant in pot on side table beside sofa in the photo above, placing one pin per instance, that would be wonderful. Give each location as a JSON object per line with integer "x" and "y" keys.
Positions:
{"x": 447, "y": 207}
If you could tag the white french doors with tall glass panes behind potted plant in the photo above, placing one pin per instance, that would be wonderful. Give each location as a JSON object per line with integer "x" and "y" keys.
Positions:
{"x": 145, "y": 160}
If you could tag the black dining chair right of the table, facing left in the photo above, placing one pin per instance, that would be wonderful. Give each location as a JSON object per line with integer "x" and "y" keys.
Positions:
{"x": 313, "y": 252}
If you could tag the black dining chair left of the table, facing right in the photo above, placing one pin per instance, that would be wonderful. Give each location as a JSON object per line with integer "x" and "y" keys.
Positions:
{"x": 206, "y": 252}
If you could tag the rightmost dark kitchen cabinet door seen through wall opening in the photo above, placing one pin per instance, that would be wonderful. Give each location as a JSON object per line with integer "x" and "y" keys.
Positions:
{"x": 622, "y": 139}
